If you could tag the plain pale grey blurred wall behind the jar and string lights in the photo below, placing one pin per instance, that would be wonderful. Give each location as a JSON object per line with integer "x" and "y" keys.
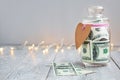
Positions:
{"x": 50, "y": 20}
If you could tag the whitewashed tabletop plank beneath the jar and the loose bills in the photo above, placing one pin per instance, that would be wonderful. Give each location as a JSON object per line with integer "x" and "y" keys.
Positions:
{"x": 108, "y": 72}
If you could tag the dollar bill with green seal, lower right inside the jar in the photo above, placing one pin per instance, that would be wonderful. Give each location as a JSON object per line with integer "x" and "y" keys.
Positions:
{"x": 100, "y": 50}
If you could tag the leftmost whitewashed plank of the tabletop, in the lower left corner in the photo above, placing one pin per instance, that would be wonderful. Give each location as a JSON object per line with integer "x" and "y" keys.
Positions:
{"x": 9, "y": 62}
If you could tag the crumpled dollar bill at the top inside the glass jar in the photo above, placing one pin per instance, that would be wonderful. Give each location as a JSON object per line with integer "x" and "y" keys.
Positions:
{"x": 99, "y": 34}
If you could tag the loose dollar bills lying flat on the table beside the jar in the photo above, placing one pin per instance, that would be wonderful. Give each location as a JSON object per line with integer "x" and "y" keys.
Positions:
{"x": 68, "y": 69}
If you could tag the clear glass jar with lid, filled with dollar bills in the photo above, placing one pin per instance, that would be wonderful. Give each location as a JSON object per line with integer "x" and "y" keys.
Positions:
{"x": 96, "y": 48}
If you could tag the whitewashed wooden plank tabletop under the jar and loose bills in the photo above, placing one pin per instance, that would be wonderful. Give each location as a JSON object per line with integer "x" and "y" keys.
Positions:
{"x": 25, "y": 65}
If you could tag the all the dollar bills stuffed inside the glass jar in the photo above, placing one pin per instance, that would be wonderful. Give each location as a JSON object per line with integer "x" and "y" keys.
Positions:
{"x": 96, "y": 48}
